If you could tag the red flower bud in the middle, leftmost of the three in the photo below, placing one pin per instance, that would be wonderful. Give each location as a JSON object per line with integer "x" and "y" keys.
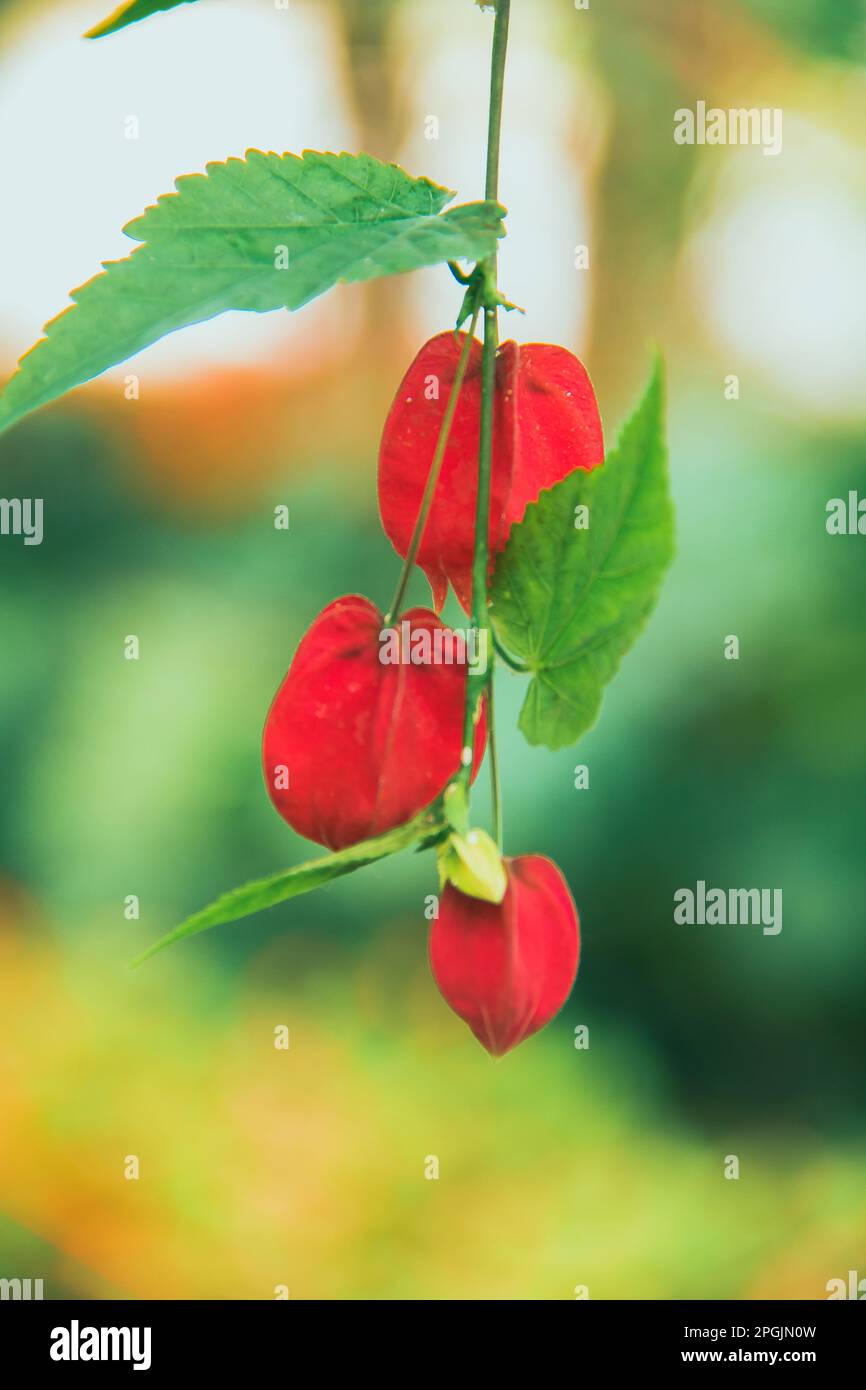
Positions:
{"x": 355, "y": 746}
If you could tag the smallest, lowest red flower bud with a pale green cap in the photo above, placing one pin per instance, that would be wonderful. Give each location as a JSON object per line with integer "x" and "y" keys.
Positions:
{"x": 507, "y": 970}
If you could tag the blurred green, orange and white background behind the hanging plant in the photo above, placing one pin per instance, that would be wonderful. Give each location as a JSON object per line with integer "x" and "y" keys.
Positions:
{"x": 558, "y": 1167}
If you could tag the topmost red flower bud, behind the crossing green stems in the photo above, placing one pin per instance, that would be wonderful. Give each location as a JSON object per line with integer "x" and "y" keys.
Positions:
{"x": 546, "y": 425}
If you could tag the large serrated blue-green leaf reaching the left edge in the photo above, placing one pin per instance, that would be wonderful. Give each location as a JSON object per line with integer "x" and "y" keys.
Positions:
{"x": 269, "y": 231}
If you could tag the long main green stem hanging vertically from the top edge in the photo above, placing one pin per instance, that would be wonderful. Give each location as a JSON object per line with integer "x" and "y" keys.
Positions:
{"x": 477, "y": 685}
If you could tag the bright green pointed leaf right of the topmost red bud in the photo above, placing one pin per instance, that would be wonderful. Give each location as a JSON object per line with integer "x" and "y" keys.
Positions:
{"x": 571, "y": 603}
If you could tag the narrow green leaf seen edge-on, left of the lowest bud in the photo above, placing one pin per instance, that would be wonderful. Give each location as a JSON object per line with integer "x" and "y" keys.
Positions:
{"x": 268, "y": 893}
